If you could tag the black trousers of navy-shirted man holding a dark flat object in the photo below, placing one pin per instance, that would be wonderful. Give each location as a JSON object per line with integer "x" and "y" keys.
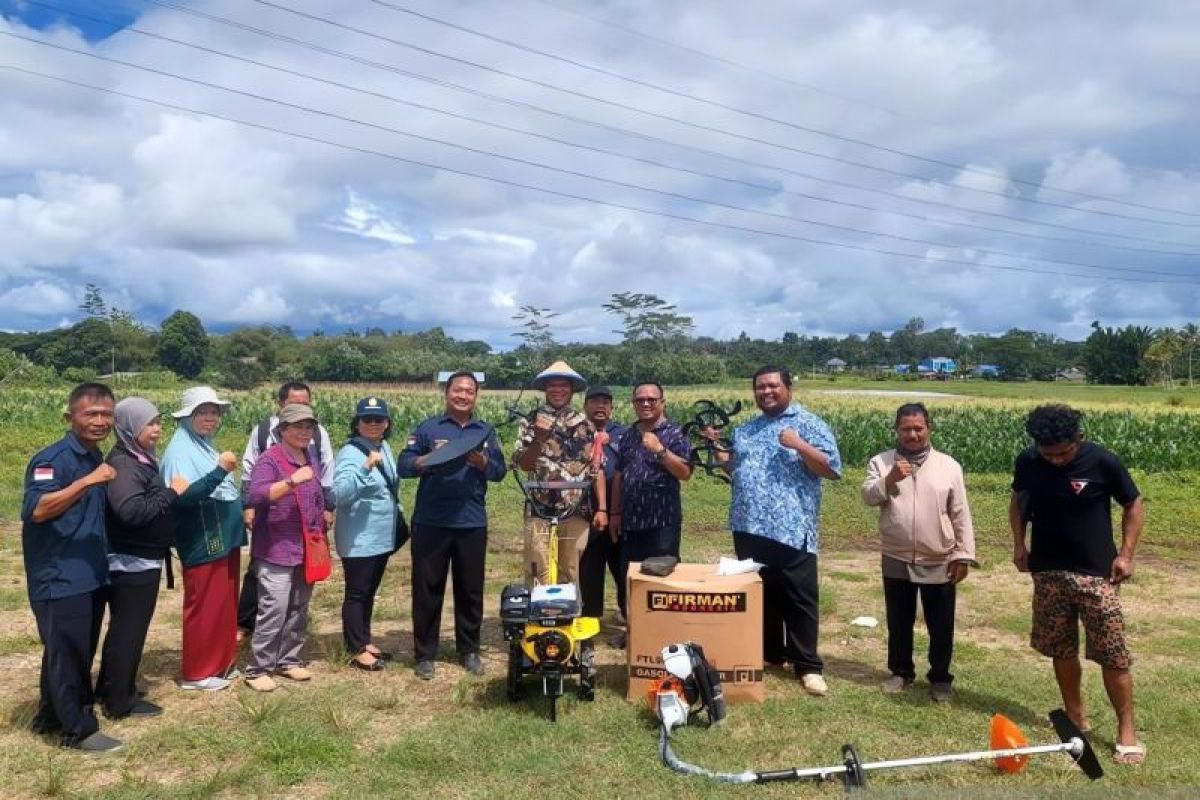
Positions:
{"x": 460, "y": 554}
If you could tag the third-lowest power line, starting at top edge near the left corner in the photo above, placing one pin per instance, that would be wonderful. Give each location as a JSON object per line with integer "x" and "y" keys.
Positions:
{"x": 766, "y": 188}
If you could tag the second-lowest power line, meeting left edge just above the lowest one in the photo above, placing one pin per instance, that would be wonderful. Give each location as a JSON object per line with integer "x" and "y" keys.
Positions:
{"x": 526, "y": 163}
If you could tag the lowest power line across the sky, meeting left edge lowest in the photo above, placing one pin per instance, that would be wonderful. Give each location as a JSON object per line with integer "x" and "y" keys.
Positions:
{"x": 668, "y": 215}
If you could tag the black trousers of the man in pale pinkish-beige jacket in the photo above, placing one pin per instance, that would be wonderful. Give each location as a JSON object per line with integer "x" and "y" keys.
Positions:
{"x": 938, "y": 601}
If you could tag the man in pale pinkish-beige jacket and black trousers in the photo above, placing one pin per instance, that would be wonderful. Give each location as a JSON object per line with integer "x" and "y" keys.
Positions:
{"x": 928, "y": 545}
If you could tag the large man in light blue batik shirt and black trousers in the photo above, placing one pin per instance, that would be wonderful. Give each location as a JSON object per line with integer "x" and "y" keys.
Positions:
{"x": 778, "y": 461}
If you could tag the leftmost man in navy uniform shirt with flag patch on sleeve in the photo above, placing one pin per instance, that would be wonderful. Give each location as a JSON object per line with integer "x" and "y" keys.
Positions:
{"x": 67, "y": 567}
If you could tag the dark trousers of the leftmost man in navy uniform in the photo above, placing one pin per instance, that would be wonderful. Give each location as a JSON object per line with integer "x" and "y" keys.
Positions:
{"x": 70, "y": 630}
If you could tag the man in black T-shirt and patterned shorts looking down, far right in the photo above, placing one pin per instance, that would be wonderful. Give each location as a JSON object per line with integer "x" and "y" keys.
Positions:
{"x": 1065, "y": 488}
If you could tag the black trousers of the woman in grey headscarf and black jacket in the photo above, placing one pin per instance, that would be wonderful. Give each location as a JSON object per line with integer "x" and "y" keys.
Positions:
{"x": 131, "y": 600}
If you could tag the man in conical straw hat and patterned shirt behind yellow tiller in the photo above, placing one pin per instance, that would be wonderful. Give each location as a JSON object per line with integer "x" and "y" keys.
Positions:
{"x": 557, "y": 447}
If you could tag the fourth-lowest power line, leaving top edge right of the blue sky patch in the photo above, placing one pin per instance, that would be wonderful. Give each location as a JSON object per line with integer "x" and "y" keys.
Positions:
{"x": 646, "y": 137}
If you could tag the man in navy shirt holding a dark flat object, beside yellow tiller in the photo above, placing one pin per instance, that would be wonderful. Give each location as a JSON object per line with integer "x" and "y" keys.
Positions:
{"x": 451, "y": 522}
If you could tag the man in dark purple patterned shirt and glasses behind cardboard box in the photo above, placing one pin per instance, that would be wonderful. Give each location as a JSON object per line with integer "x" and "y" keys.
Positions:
{"x": 652, "y": 459}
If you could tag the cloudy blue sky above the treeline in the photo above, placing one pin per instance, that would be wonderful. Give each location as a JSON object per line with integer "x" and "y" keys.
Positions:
{"x": 802, "y": 166}
